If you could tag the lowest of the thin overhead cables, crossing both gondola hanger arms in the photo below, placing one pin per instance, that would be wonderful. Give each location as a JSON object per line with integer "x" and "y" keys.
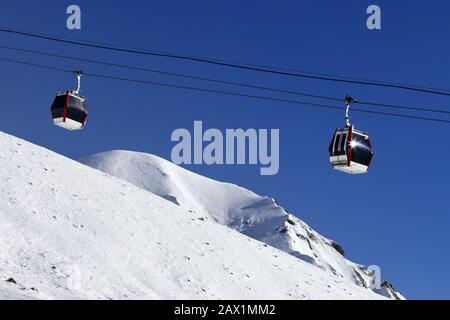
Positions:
{"x": 307, "y": 104}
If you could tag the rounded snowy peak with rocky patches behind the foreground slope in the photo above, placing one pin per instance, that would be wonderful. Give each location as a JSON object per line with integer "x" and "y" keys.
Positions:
{"x": 242, "y": 210}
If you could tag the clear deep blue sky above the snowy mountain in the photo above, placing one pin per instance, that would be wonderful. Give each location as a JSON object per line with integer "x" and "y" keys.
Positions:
{"x": 397, "y": 216}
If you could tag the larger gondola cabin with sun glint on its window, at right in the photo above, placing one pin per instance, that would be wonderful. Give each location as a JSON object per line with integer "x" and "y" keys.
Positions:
{"x": 350, "y": 150}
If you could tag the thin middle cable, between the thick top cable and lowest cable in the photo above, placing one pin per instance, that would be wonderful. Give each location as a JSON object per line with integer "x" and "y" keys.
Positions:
{"x": 246, "y": 85}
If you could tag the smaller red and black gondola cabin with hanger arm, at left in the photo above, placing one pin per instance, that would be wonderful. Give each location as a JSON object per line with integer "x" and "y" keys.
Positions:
{"x": 69, "y": 109}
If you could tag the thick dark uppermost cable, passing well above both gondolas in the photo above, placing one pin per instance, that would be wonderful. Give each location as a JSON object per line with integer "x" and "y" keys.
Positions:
{"x": 229, "y": 64}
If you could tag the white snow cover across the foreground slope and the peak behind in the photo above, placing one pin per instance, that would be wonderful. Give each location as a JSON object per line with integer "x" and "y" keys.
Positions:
{"x": 68, "y": 231}
